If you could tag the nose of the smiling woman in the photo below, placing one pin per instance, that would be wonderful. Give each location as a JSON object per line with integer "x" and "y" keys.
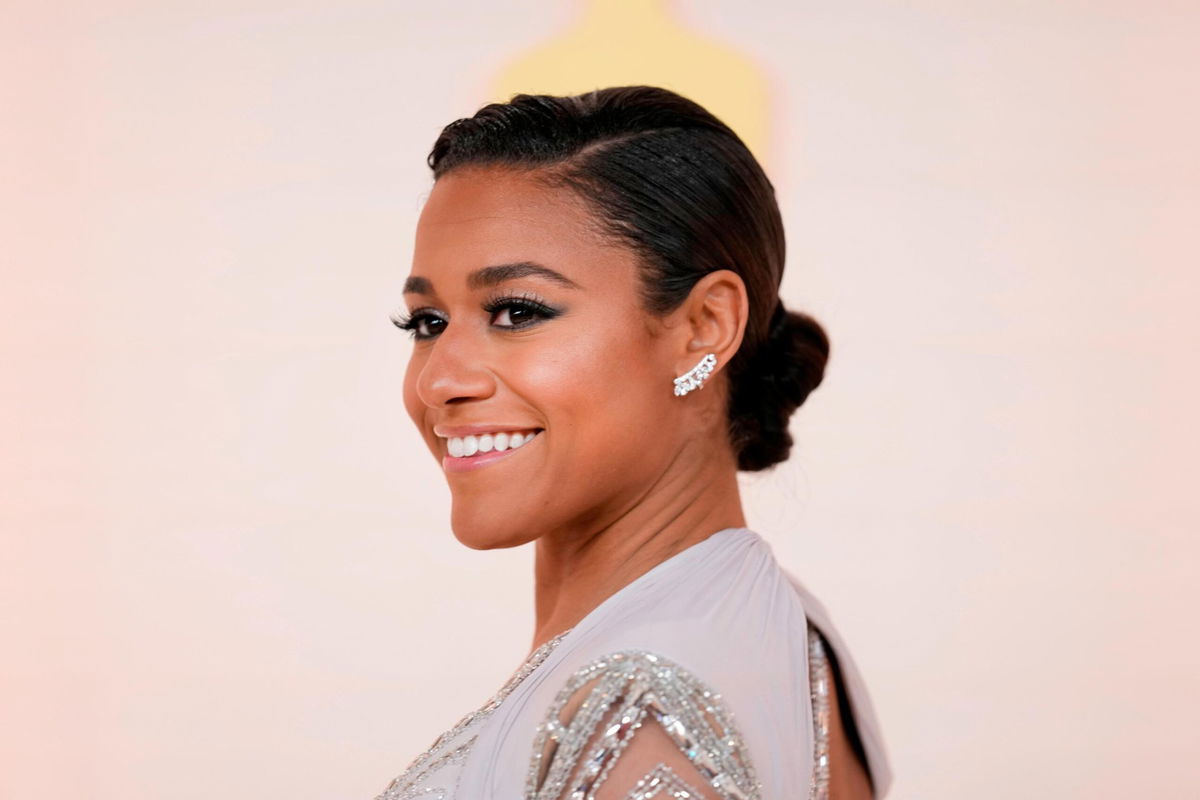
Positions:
{"x": 454, "y": 369}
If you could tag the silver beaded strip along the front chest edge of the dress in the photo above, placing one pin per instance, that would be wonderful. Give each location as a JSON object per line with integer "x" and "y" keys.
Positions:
{"x": 427, "y": 777}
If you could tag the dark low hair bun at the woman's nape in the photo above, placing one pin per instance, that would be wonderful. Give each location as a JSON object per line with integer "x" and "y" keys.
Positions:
{"x": 773, "y": 383}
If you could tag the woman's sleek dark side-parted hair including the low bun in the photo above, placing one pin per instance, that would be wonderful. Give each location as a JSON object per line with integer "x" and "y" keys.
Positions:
{"x": 677, "y": 185}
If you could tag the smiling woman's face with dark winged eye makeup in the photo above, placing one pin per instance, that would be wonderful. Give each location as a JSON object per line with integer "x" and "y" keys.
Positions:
{"x": 501, "y": 347}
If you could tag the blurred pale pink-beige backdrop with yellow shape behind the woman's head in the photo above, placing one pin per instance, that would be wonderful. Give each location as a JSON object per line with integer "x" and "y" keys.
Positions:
{"x": 226, "y": 569}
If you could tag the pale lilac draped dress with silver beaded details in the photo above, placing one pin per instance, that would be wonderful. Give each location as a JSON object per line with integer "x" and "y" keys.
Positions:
{"x": 706, "y": 678}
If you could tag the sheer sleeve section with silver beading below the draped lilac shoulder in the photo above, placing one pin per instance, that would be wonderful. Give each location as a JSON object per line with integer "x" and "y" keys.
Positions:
{"x": 637, "y": 726}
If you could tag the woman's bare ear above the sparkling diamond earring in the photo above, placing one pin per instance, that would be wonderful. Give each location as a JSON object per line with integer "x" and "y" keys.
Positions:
{"x": 716, "y": 315}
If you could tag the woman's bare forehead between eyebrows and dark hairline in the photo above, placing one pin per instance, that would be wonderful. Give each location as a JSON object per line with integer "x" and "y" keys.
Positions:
{"x": 476, "y": 218}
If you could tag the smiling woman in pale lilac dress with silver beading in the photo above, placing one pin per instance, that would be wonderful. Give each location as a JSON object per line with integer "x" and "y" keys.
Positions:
{"x": 599, "y": 347}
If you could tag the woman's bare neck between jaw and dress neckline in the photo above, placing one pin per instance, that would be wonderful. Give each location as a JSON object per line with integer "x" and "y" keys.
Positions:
{"x": 578, "y": 570}
